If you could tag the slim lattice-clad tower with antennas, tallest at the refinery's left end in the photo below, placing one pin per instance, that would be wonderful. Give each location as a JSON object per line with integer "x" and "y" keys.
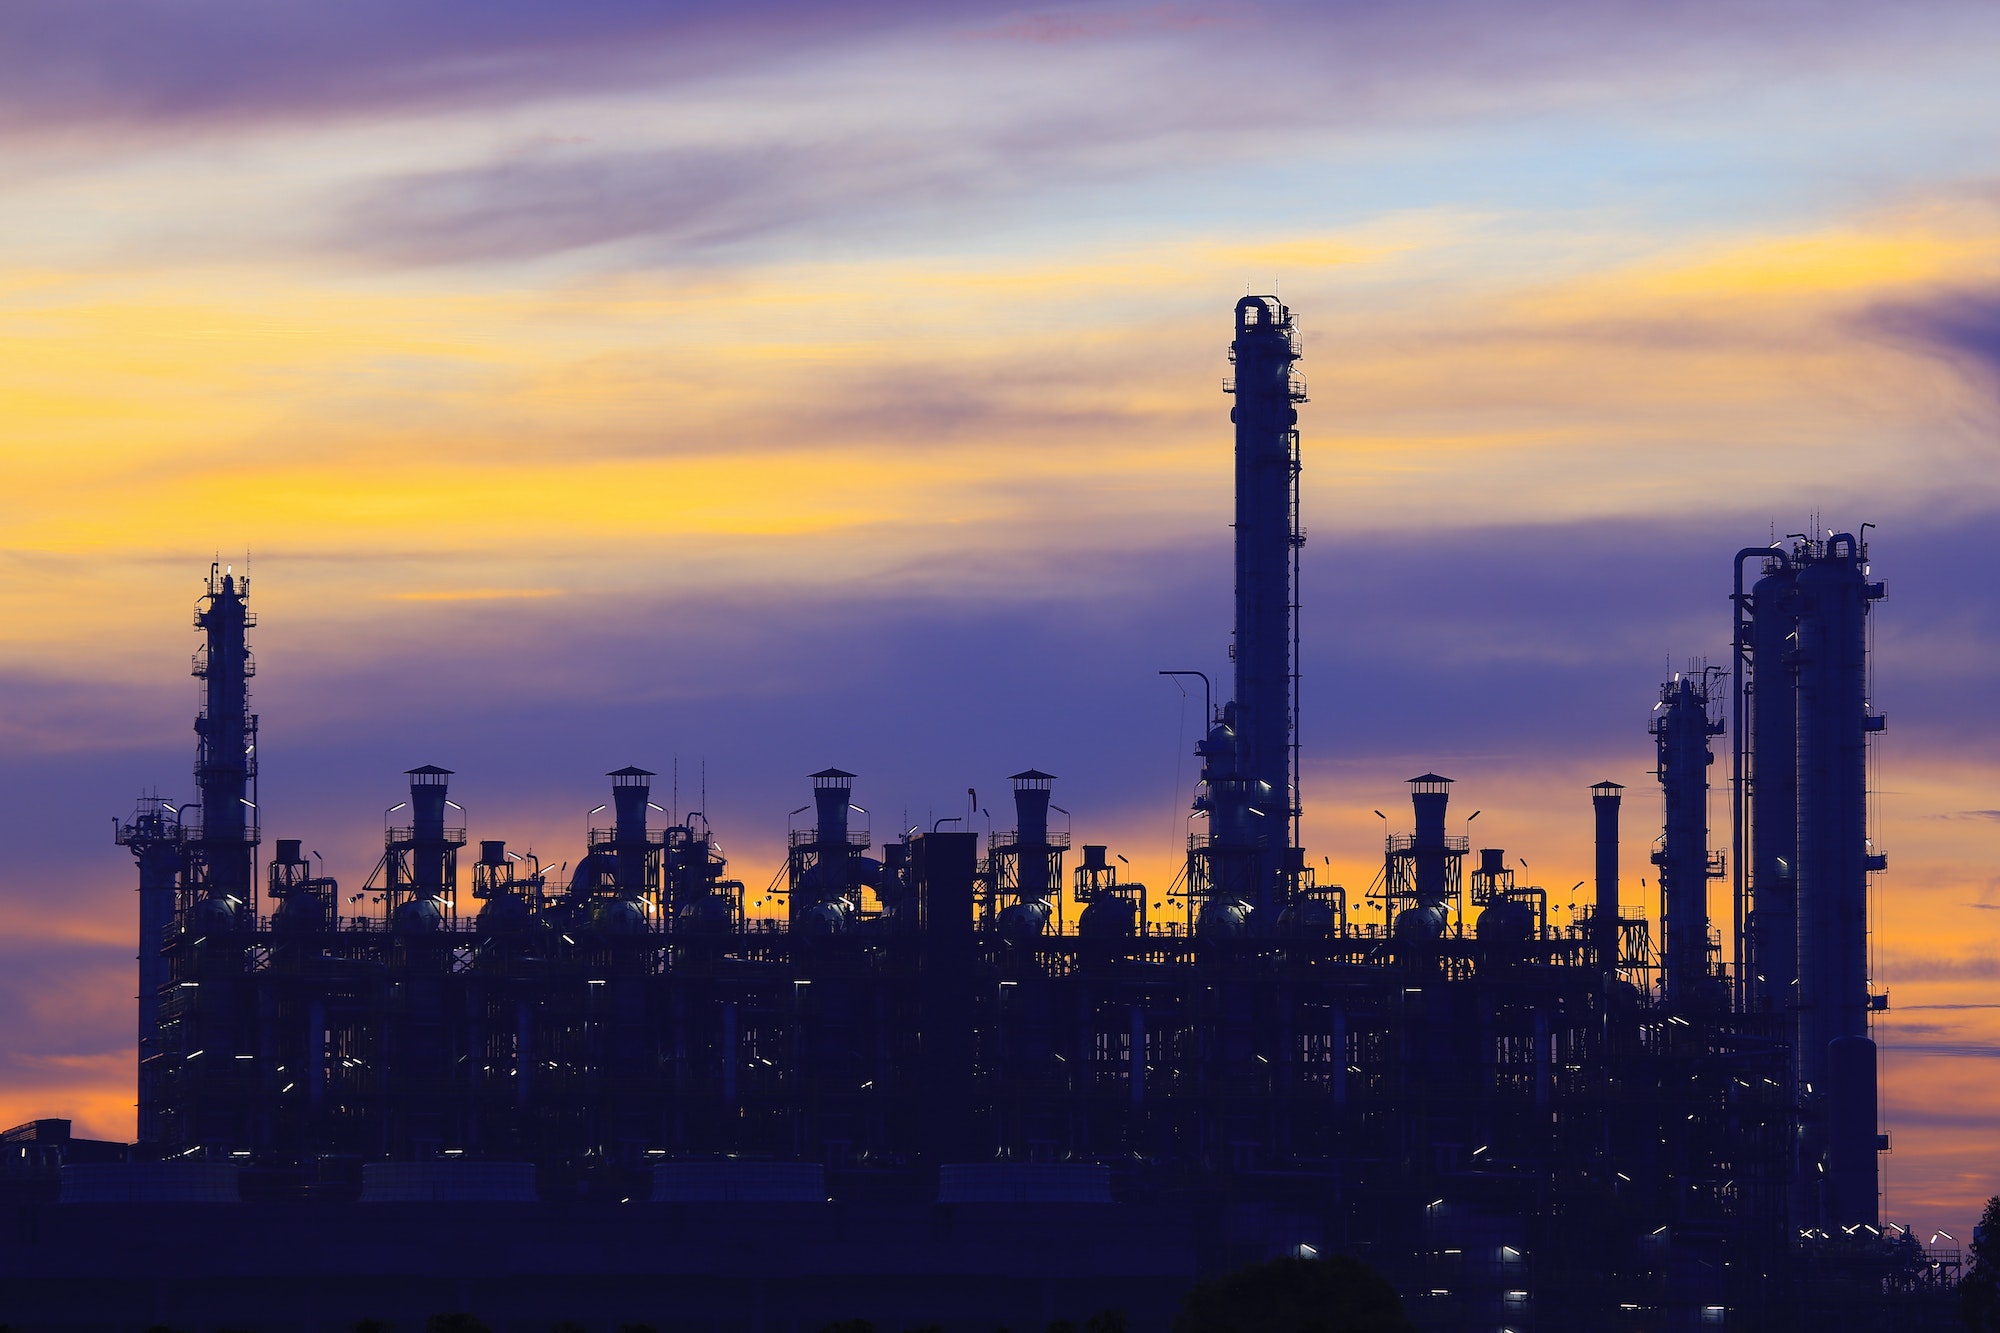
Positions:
{"x": 225, "y": 764}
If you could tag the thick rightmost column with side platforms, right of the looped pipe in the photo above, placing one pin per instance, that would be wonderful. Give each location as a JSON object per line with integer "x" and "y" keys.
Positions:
{"x": 1837, "y": 1060}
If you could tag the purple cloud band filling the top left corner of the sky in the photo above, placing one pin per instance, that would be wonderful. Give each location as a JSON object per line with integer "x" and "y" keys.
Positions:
{"x": 237, "y": 59}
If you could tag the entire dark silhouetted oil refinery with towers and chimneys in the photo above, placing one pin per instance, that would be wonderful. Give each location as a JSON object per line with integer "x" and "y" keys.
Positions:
{"x": 979, "y": 1082}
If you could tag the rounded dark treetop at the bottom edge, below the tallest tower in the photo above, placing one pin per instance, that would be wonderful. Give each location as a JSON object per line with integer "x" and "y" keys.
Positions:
{"x": 1295, "y": 1296}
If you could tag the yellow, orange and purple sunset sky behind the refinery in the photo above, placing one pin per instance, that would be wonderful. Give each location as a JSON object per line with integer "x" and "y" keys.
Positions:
{"x": 765, "y": 387}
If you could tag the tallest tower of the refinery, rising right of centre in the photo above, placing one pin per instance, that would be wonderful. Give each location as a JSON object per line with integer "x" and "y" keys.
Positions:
{"x": 1265, "y": 710}
